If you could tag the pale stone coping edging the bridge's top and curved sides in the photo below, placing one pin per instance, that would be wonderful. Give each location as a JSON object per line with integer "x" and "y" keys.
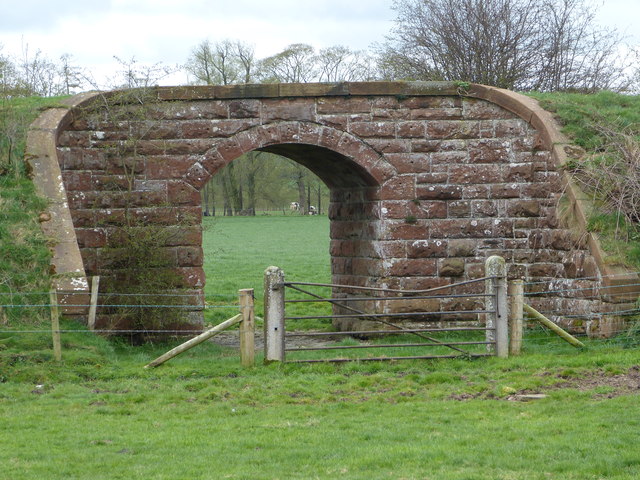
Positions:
{"x": 42, "y": 157}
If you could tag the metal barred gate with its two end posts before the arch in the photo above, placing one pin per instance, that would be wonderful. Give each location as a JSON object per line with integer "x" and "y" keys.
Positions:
{"x": 461, "y": 320}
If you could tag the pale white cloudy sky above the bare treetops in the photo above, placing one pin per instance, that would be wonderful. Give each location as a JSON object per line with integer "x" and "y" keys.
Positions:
{"x": 151, "y": 31}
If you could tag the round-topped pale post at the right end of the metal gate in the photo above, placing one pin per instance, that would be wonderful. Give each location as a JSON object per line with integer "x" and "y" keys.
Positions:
{"x": 496, "y": 305}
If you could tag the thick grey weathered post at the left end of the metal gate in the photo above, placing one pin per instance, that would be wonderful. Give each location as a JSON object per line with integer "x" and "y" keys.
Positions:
{"x": 273, "y": 315}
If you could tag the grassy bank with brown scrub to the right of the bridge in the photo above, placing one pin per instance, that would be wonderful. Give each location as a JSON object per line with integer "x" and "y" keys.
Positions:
{"x": 607, "y": 126}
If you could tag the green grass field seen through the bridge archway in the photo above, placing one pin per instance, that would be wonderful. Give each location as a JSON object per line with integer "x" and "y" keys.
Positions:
{"x": 238, "y": 250}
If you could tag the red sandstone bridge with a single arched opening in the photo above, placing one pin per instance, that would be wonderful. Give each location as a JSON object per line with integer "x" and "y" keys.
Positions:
{"x": 427, "y": 179}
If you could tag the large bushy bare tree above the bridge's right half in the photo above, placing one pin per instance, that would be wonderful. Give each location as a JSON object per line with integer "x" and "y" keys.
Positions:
{"x": 517, "y": 44}
